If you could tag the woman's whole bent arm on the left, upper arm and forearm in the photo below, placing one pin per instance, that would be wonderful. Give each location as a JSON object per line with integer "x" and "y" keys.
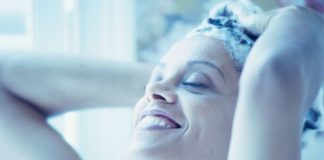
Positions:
{"x": 34, "y": 87}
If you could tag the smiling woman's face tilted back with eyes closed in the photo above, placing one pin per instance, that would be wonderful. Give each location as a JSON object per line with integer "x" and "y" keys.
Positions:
{"x": 188, "y": 106}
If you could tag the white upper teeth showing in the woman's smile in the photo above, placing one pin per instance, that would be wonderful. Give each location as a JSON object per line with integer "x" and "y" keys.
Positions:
{"x": 153, "y": 121}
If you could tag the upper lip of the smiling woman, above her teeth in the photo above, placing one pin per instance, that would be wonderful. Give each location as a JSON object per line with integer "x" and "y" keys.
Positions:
{"x": 158, "y": 112}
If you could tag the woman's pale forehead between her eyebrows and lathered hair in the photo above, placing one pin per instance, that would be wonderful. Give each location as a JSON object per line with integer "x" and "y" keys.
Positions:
{"x": 197, "y": 48}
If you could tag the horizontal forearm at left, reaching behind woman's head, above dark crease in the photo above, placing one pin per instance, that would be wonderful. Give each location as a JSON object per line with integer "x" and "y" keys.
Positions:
{"x": 58, "y": 83}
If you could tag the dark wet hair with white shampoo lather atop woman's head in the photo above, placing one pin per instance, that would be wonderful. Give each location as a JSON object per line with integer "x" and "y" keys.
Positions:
{"x": 224, "y": 25}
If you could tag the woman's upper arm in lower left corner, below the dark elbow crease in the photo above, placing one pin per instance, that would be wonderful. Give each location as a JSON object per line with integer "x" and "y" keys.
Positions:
{"x": 25, "y": 134}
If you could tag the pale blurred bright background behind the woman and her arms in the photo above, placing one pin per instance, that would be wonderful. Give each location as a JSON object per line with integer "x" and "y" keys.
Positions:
{"x": 126, "y": 30}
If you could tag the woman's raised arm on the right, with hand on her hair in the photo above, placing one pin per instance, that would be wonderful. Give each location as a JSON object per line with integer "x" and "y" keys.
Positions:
{"x": 280, "y": 80}
